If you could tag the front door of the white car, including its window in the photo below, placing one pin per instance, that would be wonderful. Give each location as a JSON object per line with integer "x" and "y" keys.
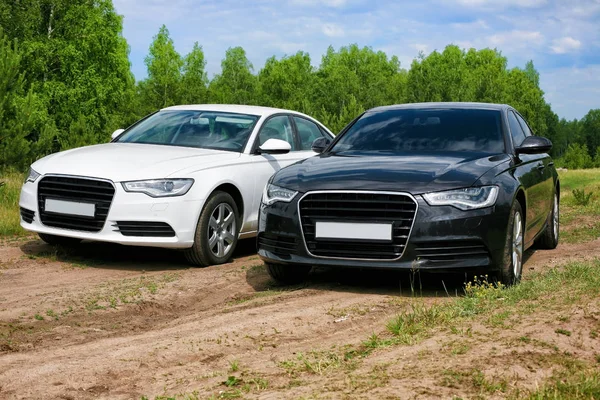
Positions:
{"x": 281, "y": 127}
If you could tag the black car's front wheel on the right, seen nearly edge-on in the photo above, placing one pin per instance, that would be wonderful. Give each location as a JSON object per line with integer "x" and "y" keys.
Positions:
{"x": 511, "y": 265}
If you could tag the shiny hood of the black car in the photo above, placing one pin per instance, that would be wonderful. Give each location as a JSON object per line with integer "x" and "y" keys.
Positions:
{"x": 413, "y": 173}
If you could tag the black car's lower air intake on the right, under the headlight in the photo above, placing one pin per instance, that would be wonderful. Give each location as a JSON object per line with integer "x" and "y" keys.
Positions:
{"x": 453, "y": 250}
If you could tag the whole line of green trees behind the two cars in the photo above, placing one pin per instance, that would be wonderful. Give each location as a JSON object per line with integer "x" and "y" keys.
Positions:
{"x": 65, "y": 81}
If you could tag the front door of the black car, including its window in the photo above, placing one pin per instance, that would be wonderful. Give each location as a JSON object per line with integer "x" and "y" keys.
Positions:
{"x": 529, "y": 172}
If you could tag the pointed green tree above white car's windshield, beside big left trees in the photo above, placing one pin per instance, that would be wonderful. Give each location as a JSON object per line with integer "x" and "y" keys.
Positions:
{"x": 162, "y": 88}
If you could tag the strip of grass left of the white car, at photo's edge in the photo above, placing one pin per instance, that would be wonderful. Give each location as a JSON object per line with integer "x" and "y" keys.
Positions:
{"x": 9, "y": 203}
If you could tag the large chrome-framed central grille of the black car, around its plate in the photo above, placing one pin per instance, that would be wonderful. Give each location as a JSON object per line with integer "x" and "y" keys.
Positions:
{"x": 397, "y": 209}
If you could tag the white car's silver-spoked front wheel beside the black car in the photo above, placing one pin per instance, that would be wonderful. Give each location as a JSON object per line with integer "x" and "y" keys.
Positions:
{"x": 216, "y": 235}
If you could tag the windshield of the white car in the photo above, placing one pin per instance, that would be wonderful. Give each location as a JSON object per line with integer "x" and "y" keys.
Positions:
{"x": 203, "y": 129}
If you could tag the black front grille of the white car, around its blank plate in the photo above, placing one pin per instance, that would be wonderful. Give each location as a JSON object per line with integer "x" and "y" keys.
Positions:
{"x": 99, "y": 193}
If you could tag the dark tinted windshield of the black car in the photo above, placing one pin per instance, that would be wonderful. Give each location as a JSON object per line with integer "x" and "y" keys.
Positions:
{"x": 410, "y": 130}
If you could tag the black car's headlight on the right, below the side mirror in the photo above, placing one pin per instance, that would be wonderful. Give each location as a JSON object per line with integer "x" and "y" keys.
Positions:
{"x": 464, "y": 199}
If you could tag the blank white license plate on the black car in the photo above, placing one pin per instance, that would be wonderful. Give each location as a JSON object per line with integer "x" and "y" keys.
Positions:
{"x": 380, "y": 232}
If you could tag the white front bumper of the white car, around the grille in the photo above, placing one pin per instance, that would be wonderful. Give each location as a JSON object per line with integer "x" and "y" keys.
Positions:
{"x": 181, "y": 213}
